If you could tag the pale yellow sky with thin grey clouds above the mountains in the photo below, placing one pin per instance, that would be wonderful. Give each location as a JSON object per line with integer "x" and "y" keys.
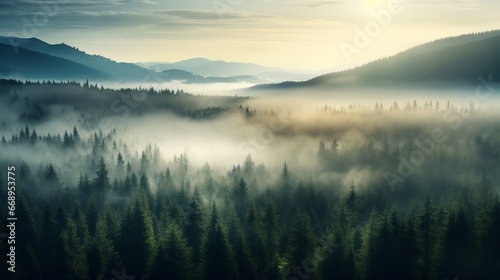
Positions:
{"x": 315, "y": 34}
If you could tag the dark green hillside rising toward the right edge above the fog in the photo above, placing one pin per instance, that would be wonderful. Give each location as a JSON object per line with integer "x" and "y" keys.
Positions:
{"x": 455, "y": 59}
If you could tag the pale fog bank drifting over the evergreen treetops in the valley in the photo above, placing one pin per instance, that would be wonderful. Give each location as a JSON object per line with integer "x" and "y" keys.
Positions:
{"x": 372, "y": 129}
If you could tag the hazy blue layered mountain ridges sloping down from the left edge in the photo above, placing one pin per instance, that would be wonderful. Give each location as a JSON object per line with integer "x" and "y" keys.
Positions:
{"x": 31, "y": 58}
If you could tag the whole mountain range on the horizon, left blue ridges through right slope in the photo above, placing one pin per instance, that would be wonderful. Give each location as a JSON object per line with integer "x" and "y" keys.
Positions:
{"x": 458, "y": 59}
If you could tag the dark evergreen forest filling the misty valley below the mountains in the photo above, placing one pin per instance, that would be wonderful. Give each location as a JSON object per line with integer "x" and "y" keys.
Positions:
{"x": 94, "y": 204}
